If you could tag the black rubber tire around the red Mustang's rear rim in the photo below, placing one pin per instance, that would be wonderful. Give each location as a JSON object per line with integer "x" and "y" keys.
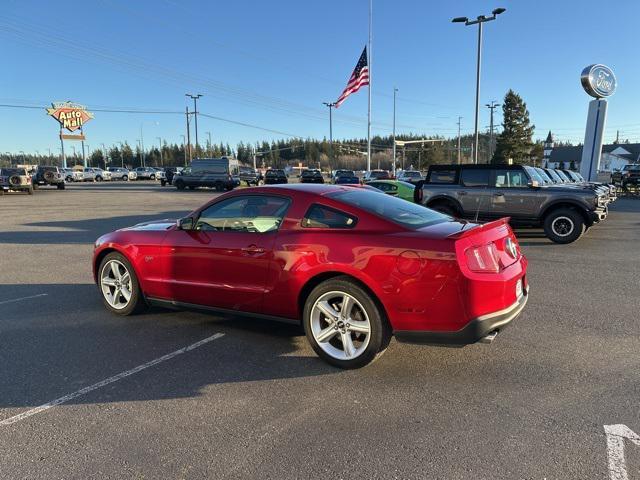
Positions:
{"x": 380, "y": 330}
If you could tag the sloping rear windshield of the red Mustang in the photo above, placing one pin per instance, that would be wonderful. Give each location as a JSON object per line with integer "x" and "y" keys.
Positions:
{"x": 390, "y": 208}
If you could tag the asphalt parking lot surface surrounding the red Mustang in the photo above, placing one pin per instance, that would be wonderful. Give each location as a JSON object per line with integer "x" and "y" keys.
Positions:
{"x": 256, "y": 402}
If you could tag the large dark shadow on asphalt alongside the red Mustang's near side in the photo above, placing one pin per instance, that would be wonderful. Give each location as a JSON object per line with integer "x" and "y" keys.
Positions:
{"x": 56, "y": 344}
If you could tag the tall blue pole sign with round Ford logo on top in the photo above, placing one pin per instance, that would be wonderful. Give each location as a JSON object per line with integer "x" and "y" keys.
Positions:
{"x": 599, "y": 82}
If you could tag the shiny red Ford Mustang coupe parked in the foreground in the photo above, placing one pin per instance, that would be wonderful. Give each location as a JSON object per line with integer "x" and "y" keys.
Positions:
{"x": 354, "y": 266}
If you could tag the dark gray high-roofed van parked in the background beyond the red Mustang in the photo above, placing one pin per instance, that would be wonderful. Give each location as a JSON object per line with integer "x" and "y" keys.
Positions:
{"x": 206, "y": 172}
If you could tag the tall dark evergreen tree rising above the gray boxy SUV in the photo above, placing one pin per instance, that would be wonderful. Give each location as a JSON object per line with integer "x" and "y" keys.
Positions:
{"x": 515, "y": 140}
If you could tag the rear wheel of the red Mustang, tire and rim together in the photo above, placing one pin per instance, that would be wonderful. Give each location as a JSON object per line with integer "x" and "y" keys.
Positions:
{"x": 344, "y": 324}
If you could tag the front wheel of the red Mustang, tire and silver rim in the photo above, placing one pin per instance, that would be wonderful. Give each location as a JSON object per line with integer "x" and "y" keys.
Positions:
{"x": 119, "y": 285}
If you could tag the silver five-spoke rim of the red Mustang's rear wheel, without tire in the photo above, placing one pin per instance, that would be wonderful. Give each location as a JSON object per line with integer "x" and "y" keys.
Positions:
{"x": 340, "y": 325}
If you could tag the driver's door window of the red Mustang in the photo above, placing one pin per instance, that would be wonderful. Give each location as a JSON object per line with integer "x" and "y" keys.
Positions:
{"x": 246, "y": 213}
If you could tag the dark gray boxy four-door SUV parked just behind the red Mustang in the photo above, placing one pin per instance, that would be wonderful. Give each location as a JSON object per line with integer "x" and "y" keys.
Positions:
{"x": 493, "y": 191}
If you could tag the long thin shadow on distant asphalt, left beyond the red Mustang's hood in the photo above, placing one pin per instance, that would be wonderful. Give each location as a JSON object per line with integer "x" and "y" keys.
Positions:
{"x": 80, "y": 231}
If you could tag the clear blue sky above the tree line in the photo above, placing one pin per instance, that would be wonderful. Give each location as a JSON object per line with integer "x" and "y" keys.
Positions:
{"x": 272, "y": 64}
